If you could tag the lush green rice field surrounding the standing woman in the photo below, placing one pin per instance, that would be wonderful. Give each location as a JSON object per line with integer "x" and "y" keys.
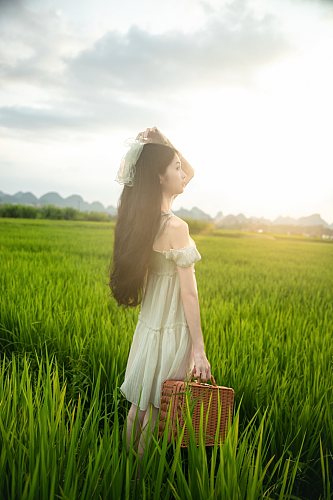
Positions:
{"x": 267, "y": 319}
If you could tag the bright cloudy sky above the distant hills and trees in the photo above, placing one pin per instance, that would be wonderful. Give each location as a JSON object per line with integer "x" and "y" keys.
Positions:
{"x": 241, "y": 88}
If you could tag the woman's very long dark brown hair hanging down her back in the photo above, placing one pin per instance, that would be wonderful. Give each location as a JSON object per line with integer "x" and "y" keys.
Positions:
{"x": 138, "y": 220}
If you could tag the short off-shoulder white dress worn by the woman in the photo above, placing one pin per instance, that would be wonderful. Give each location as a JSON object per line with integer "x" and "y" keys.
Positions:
{"x": 161, "y": 346}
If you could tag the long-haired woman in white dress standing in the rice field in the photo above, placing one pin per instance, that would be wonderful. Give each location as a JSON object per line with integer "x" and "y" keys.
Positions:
{"x": 153, "y": 264}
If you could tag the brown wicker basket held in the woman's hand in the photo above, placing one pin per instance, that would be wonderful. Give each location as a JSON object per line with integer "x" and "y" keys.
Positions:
{"x": 173, "y": 399}
